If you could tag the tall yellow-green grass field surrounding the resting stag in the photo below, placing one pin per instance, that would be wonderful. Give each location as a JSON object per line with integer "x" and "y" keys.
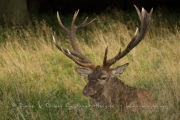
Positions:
{"x": 38, "y": 82}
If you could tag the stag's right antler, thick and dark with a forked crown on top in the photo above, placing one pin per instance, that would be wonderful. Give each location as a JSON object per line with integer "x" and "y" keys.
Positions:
{"x": 138, "y": 36}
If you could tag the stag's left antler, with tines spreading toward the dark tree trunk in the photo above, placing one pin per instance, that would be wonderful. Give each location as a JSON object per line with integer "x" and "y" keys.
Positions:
{"x": 75, "y": 55}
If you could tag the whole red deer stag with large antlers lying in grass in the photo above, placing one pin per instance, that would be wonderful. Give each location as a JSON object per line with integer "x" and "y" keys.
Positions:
{"x": 103, "y": 85}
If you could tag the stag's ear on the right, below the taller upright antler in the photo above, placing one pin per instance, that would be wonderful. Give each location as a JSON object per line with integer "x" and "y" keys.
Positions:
{"x": 119, "y": 70}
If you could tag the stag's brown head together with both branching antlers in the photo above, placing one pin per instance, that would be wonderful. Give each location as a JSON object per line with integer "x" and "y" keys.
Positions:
{"x": 100, "y": 76}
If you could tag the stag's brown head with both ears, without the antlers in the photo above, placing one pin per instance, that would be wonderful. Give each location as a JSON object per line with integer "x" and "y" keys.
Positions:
{"x": 98, "y": 78}
